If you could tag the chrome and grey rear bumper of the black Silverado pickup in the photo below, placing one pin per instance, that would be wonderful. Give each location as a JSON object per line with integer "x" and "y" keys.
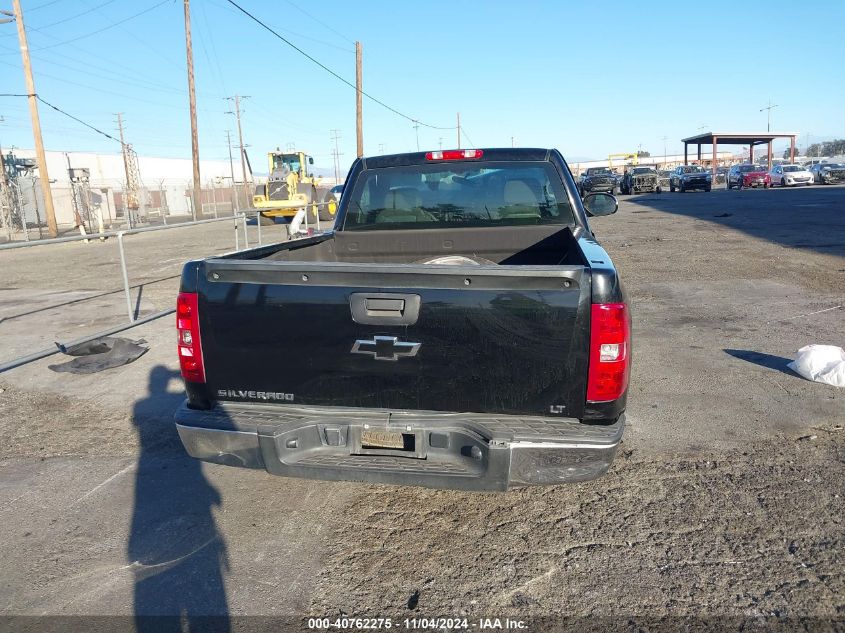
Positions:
{"x": 447, "y": 450}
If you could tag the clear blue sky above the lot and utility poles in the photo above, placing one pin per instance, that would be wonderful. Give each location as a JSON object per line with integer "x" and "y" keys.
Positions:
{"x": 587, "y": 78}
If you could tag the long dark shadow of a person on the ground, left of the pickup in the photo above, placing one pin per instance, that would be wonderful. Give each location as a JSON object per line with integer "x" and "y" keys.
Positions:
{"x": 176, "y": 551}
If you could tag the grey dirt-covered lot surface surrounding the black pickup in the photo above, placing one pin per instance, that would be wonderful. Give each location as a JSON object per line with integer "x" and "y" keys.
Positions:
{"x": 725, "y": 504}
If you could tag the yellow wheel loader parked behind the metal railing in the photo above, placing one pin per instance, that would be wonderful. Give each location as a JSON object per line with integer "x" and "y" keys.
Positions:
{"x": 290, "y": 187}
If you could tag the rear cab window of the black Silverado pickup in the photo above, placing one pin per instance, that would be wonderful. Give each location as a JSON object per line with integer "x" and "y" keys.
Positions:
{"x": 458, "y": 194}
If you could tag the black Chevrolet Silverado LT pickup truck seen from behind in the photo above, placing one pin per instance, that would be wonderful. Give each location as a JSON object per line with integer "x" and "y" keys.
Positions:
{"x": 460, "y": 328}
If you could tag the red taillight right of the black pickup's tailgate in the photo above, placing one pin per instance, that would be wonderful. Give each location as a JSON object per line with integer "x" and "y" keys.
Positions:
{"x": 610, "y": 352}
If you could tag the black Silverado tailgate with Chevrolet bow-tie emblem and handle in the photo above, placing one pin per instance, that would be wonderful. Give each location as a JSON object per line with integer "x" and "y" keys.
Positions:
{"x": 488, "y": 339}
